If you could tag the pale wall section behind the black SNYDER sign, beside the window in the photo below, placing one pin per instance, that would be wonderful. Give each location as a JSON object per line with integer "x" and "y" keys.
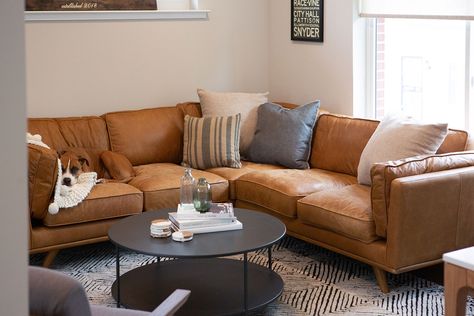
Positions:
{"x": 301, "y": 71}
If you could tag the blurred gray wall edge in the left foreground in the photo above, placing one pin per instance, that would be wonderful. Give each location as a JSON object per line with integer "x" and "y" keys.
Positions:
{"x": 13, "y": 197}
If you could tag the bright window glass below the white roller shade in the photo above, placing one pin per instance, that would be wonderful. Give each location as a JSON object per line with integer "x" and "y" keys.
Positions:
{"x": 422, "y": 69}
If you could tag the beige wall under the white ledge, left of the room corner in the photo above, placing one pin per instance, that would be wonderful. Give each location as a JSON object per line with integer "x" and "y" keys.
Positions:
{"x": 83, "y": 68}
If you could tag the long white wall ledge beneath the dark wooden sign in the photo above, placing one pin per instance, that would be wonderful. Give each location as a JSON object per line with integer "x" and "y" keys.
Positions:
{"x": 116, "y": 15}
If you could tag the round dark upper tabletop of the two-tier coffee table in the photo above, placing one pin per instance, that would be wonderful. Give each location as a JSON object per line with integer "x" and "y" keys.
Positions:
{"x": 260, "y": 230}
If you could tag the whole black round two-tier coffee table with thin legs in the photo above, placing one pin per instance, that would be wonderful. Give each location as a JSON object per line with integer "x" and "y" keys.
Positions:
{"x": 218, "y": 286}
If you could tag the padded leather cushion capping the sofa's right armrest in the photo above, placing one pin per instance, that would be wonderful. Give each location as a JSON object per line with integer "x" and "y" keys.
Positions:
{"x": 384, "y": 173}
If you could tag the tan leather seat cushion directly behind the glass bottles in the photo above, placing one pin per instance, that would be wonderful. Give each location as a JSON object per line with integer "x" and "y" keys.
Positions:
{"x": 160, "y": 184}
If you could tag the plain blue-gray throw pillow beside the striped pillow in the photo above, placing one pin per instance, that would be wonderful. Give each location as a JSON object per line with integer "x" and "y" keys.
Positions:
{"x": 283, "y": 136}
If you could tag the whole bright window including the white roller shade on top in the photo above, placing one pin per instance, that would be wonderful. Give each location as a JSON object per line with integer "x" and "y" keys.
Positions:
{"x": 419, "y": 59}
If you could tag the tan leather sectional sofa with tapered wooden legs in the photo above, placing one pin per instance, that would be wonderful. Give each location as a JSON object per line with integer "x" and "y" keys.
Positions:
{"x": 416, "y": 209}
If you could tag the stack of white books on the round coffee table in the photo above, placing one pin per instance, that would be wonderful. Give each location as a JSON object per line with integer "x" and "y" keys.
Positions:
{"x": 220, "y": 217}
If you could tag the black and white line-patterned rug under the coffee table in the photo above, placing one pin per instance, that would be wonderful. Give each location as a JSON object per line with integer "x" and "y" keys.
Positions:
{"x": 317, "y": 281}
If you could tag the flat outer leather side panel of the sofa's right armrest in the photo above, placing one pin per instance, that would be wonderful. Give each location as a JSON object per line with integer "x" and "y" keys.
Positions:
{"x": 430, "y": 214}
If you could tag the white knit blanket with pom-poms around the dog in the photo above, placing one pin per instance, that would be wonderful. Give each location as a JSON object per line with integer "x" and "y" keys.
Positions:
{"x": 65, "y": 196}
